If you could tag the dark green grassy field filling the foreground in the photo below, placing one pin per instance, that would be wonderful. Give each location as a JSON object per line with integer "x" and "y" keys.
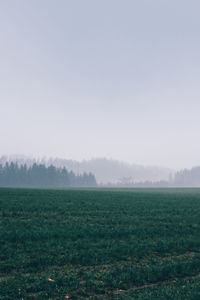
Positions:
{"x": 100, "y": 244}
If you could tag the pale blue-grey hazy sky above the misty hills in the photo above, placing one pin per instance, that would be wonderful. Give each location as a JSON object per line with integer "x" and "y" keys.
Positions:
{"x": 101, "y": 78}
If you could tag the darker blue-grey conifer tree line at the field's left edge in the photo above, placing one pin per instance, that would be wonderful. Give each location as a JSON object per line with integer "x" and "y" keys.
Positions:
{"x": 14, "y": 175}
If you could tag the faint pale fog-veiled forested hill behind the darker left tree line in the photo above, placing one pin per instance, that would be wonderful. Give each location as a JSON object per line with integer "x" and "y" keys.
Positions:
{"x": 105, "y": 170}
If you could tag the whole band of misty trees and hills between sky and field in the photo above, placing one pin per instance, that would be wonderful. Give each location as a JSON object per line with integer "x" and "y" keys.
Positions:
{"x": 95, "y": 172}
